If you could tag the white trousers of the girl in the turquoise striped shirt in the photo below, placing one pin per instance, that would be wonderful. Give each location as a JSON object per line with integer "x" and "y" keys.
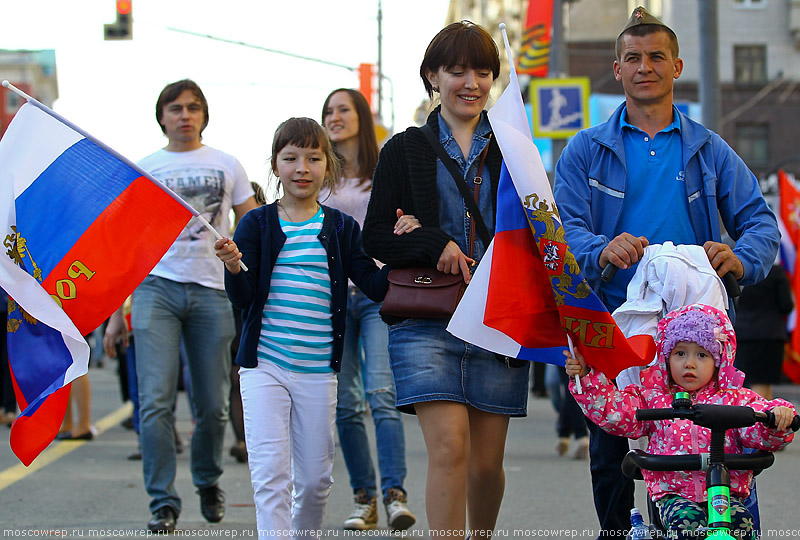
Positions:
{"x": 289, "y": 419}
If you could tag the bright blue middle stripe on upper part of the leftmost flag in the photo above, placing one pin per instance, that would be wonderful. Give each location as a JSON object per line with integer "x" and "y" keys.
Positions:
{"x": 84, "y": 177}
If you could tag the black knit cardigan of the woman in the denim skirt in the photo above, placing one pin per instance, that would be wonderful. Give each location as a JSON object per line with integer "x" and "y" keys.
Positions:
{"x": 405, "y": 178}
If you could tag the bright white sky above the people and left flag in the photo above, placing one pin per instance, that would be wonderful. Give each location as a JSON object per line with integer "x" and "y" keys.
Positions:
{"x": 109, "y": 88}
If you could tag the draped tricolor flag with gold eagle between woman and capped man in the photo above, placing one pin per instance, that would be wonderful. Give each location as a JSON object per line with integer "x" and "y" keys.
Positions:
{"x": 528, "y": 291}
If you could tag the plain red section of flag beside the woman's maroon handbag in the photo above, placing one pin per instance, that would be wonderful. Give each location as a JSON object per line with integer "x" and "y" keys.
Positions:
{"x": 520, "y": 301}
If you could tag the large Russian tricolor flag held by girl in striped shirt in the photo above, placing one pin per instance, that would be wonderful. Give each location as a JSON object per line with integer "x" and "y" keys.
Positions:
{"x": 83, "y": 227}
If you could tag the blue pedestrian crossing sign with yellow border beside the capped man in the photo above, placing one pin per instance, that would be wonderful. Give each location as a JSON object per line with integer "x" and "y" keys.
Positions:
{"x": 560, "y": 106}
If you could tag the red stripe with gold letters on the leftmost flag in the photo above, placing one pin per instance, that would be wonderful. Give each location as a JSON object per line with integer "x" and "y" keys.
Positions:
{"x": 99, "y": 271}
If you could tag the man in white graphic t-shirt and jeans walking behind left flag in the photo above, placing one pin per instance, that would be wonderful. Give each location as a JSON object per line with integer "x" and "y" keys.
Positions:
{"x": 184, "y": 297}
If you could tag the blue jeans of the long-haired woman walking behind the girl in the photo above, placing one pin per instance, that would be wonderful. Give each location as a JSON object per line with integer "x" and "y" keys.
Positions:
{"x": 371, "y": 370}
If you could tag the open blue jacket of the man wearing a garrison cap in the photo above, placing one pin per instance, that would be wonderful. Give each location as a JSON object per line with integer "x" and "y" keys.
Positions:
{"x": 590, "y": 191}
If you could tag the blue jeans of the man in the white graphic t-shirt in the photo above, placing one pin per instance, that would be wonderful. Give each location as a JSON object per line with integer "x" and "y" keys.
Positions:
{"x": 163, "y": 311}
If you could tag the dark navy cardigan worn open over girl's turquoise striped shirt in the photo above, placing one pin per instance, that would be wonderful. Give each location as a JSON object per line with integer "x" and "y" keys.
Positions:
{"x": 260, "y": 239}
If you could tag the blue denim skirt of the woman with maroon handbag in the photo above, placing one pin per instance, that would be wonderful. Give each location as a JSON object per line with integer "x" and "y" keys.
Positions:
{"x": 430, "y": 364}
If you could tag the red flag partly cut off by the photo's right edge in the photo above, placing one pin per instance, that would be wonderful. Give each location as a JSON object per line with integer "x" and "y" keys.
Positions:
{"x": 789, "y": 218}
